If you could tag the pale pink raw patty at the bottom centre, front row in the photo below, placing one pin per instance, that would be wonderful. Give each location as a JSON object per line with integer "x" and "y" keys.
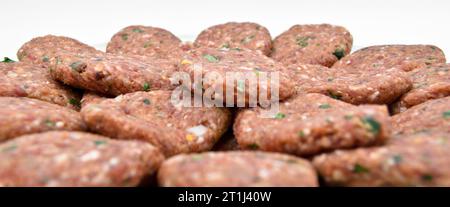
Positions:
{"x": 236, "y": 169}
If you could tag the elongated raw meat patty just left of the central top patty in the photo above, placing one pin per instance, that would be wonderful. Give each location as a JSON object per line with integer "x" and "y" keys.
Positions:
{"x": 112, "y": 74}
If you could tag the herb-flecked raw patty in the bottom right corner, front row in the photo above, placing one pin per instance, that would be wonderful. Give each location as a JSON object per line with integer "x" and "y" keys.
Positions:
{"x": 424, "y": 160}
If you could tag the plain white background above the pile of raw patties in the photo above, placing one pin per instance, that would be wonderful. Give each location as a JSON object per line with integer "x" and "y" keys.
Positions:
{"x": 95, "y": 21}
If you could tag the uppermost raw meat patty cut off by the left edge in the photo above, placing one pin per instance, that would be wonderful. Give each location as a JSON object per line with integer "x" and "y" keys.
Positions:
{"x": 25, "y": 80}
